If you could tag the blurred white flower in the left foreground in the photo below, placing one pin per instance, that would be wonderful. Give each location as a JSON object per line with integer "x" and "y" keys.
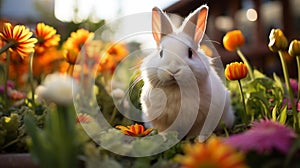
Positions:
{"x": 57, "y": 88}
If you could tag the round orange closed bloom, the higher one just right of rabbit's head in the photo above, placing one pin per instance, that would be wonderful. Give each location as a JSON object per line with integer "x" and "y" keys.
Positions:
{"x": 233, "y": 40}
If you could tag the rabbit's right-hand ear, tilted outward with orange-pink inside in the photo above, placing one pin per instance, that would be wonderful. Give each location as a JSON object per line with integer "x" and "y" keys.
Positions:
{"x": 195, "y": 24}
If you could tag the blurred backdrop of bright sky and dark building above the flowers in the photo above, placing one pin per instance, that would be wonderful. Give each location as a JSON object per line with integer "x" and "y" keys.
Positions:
{"x": 255, "y": 18}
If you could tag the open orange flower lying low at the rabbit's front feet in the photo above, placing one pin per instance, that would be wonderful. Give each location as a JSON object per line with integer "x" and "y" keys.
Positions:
{"x": 136, "y": 130}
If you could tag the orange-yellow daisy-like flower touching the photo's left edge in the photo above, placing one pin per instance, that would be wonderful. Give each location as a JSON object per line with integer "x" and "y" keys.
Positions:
{"x": 20, "y": 37}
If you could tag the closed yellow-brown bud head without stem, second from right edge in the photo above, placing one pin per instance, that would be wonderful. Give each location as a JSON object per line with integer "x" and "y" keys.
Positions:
{"x": 277, "y": 40}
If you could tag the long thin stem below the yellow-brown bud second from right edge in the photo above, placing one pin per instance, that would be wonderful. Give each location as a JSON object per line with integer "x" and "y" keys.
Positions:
{"x": 289, "y": 88}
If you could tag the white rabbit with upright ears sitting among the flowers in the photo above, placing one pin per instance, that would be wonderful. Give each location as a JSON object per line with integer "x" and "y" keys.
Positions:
{"x": 178, "y": 77}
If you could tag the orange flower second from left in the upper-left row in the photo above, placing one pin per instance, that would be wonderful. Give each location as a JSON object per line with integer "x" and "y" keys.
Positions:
{"x": 46, "y": 36}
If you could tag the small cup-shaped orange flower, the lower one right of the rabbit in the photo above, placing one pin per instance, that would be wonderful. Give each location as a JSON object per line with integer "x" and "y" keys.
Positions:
{"x": 236, "y": 71}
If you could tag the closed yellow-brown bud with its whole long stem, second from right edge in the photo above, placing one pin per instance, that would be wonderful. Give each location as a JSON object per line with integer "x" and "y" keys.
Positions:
{"x": 278, "y": 43}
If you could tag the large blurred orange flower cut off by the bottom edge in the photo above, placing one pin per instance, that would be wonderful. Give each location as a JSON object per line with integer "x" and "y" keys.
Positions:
{"x": 213, "y": 154}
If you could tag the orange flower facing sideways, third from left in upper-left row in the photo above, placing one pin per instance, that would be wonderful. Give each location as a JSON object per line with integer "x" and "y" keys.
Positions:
{"x": 74, "y": 43}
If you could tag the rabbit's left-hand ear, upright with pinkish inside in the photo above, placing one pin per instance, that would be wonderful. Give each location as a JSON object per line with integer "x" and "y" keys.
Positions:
{"x": 161, "y": 24}
